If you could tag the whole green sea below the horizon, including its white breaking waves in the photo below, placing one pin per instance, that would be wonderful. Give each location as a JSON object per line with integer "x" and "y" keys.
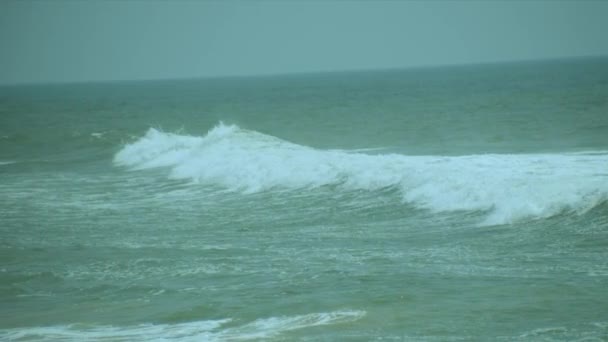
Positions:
{"x": 463, "y": 203}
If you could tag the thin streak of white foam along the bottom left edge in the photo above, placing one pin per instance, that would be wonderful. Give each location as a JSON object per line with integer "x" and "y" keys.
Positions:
{"x": 215, "y": 330}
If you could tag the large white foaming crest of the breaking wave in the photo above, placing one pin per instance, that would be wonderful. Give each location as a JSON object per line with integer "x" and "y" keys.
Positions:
{"x": 508, "y": 187}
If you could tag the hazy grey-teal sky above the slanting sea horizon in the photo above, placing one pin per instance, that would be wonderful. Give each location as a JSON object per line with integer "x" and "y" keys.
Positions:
{"x": 86, "y": 40}
